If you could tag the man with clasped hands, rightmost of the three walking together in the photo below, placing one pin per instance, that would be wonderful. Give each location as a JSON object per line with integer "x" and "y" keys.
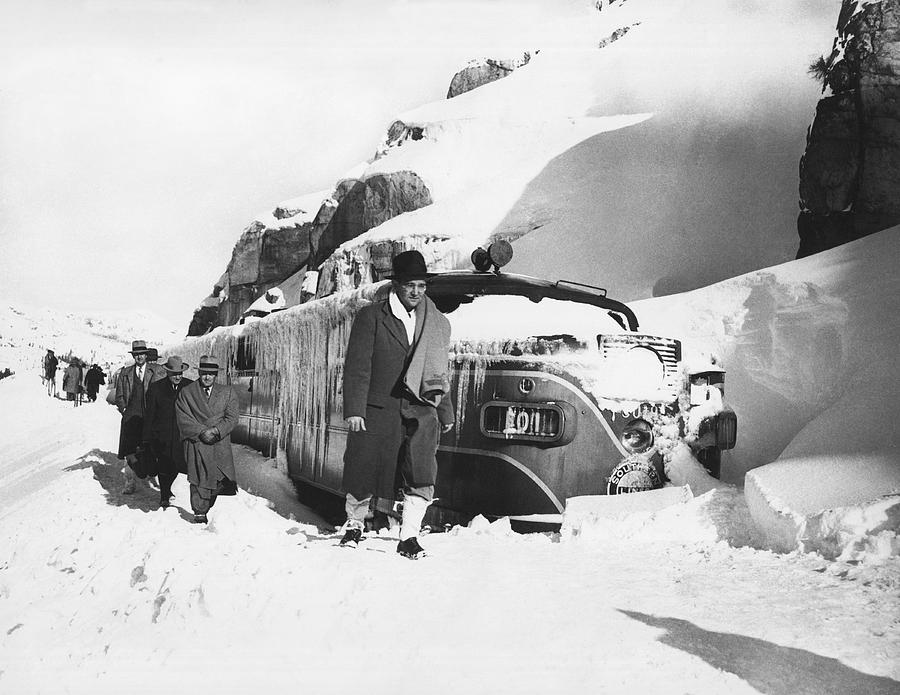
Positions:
{"x": 206, "y": 412}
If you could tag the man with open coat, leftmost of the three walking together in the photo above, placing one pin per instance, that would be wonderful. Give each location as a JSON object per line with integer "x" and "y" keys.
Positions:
{"x": 132, "y": 383}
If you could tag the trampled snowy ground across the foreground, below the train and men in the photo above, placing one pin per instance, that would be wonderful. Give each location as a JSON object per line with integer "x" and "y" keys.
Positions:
{"x": 104, "y": 593}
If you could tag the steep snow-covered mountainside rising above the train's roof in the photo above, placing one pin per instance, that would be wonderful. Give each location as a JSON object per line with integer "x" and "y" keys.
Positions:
{"x": 663, "y": 161}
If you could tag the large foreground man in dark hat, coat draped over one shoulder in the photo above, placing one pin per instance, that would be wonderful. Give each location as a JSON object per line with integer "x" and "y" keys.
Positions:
{"x": 396, "y": 402}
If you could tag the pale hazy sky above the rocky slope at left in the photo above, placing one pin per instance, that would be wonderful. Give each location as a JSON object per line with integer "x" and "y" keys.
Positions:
{"x": 139, "y": 138}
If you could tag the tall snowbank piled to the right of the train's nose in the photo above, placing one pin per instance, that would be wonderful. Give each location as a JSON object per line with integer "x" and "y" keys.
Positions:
{"x": 810, "y": 349}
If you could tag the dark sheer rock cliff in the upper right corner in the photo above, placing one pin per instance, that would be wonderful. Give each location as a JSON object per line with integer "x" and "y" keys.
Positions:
{"x": 850, "y": 173}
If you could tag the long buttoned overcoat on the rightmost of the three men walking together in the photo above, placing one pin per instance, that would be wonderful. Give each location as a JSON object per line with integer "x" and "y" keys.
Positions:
{"x": 207, "y": 464}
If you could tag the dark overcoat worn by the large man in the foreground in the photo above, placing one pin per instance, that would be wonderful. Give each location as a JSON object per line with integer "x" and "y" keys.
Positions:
{"x": 377, "y": 355}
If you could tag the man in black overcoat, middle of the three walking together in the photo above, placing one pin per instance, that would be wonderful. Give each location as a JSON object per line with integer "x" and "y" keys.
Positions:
{"x": 161, "y": 434}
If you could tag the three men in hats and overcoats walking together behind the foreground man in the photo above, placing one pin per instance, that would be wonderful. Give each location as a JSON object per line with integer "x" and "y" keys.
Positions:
{"x": 173, "y": 425}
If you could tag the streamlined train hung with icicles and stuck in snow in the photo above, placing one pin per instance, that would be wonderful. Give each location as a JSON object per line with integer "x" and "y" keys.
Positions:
{"x": 556, "y": 393}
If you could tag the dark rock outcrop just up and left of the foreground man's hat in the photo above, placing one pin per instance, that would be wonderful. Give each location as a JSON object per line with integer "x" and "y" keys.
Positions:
{"x": 367, "y": 203}
